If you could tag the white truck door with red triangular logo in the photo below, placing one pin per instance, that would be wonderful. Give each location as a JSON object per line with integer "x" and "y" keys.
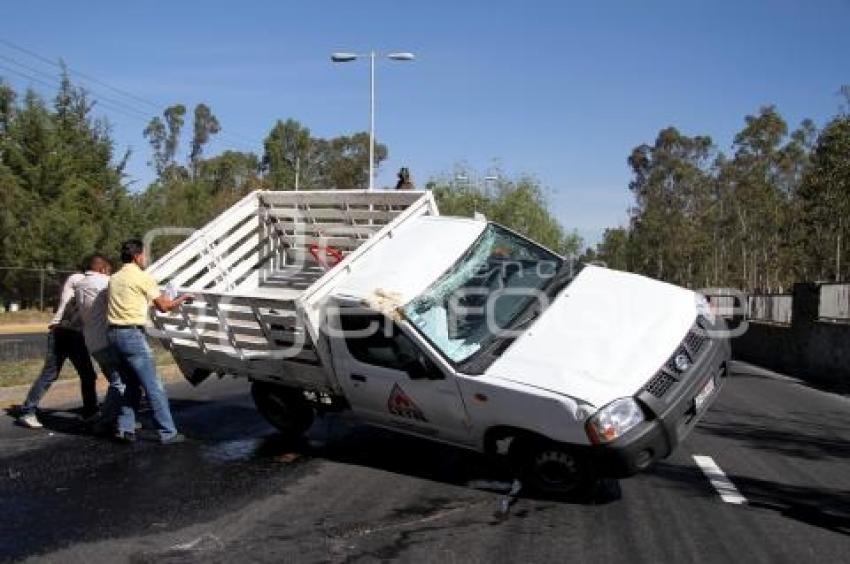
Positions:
{"x": 390, "y": 381}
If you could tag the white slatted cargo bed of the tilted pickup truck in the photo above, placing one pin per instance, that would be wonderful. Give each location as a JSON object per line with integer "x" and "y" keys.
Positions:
{"x": 250, "y": 269}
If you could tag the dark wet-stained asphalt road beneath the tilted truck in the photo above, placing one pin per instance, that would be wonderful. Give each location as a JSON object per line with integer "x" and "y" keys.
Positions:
{"x": 354, "y": 494}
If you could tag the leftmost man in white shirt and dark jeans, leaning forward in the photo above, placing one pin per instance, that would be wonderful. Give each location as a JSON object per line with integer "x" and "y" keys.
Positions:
{"x": 64, "y": 341}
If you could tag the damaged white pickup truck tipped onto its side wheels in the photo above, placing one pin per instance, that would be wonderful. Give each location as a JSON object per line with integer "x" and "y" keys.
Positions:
{"x": 454, "y": 329}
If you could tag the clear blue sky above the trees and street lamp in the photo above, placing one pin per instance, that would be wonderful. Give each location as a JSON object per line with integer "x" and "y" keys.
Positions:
{"x": 561, "y": 90}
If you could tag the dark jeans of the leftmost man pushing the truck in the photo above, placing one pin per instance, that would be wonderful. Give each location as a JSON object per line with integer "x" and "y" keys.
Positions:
{"x": 64, "y": 344}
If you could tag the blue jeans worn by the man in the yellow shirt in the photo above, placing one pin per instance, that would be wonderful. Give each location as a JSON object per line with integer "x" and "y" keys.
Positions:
{"x": 130, "y": 346}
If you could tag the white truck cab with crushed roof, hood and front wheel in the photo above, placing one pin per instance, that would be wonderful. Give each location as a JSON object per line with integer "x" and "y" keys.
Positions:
{"x": 482, "y": 337}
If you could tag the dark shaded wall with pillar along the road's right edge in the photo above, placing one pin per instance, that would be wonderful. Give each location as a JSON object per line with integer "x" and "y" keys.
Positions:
{"x": 810, "y": 349}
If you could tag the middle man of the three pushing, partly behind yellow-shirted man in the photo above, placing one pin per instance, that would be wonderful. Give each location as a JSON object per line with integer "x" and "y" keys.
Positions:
{"x": 92, "y": 296}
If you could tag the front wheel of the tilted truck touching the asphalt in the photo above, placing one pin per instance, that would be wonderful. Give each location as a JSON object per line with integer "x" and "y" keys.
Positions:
{"x": 551, "y": 469}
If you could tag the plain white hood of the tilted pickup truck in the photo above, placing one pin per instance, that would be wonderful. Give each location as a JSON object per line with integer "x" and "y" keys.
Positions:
{"x": 603, "y": 337}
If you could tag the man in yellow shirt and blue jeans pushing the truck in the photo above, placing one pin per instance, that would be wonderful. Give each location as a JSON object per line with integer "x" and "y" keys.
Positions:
{"x": 131, "y": 292}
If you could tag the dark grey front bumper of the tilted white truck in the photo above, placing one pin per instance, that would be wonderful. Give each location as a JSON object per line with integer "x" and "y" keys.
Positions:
{"x": 668, "y": 421}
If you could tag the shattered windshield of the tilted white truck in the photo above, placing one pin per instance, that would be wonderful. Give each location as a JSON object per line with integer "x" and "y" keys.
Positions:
{"x": 480, "y": 299}
